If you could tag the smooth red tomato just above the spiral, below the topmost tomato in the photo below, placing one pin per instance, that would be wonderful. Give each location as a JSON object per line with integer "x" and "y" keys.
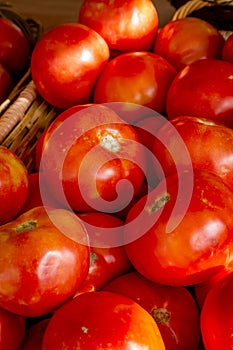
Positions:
{"x": 135, "y": 77}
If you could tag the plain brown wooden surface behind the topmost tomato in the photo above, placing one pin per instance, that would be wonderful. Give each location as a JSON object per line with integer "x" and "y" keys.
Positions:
{"x": 52, "y": 12}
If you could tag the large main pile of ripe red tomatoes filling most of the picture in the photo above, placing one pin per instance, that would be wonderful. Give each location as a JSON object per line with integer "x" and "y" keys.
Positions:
{"x": 122, "y": 237}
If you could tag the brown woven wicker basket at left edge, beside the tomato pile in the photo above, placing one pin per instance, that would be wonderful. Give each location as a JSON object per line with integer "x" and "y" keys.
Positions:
{"x": 24, "y": 115}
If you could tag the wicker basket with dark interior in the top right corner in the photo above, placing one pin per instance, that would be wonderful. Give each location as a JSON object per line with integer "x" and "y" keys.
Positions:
{"x": 196, "y": 8}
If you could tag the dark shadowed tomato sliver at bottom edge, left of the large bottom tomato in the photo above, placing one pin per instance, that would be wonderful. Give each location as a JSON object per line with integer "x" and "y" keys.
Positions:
{"x": 34, "y": 335}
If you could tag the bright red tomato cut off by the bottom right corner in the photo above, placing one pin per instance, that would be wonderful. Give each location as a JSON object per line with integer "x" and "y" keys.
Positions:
{"x": 217, "y": 317}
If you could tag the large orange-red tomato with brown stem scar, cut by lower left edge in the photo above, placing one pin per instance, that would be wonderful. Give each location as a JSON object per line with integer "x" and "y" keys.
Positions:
{"x": 44, "y": 259}
